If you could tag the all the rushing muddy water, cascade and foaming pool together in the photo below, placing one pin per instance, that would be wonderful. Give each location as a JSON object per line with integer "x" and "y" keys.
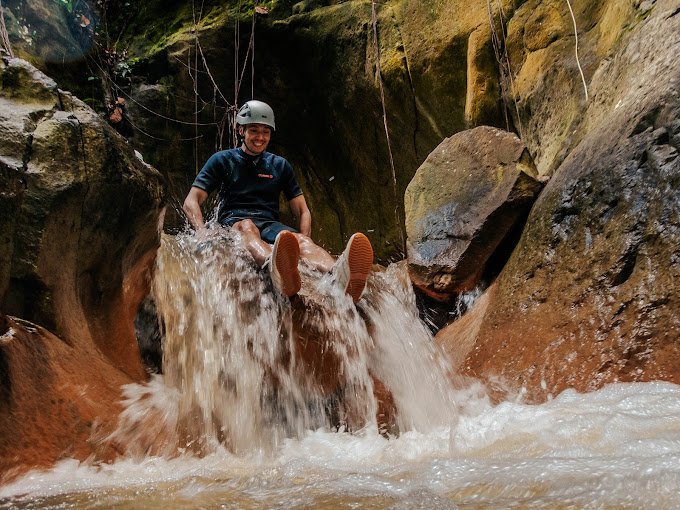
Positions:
{"x": 240, "y": 420}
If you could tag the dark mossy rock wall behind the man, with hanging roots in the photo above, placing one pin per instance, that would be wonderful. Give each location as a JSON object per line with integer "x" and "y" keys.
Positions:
{"x": 315, "y": 63}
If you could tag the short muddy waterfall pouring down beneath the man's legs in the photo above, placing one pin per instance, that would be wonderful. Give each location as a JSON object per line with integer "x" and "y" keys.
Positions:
{"x": 245, "y": 368}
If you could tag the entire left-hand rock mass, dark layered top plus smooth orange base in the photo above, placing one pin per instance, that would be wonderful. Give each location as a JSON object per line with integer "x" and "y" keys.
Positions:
{"x": 79, "y": 217}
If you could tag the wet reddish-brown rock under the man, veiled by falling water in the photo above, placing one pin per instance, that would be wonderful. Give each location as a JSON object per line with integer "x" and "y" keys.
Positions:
{"x": 232, "y": 342}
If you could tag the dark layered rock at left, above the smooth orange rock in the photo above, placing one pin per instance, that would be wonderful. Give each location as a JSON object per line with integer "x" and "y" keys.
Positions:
{"x": 80, "y": 219}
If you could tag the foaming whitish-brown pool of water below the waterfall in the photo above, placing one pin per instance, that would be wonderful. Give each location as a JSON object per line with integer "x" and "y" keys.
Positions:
{"x": 615, "y": 448}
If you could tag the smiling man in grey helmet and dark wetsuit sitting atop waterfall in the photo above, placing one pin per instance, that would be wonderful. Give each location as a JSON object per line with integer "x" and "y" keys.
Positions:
{"x": 250, "y": 180}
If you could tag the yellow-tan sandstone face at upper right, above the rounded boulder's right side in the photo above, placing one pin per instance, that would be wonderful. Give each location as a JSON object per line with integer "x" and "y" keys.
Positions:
{"x": 546, "y": 96}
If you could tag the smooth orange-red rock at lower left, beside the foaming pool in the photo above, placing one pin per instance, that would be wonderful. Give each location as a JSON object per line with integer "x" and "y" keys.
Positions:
{"x": 55, "y": 401}
